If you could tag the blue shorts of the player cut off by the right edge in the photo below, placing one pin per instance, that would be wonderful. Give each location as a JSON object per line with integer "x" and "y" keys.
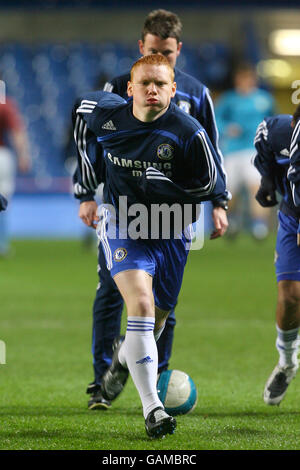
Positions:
{"x": 287, "y": 255}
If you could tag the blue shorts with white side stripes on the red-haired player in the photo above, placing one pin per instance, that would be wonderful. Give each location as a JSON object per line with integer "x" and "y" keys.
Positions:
{"x": 164, "y": 260}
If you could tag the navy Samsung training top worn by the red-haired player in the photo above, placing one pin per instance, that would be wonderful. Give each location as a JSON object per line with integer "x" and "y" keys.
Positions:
{"x": 175, "y": 144}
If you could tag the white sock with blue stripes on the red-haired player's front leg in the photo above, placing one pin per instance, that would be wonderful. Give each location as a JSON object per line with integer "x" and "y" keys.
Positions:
{"x": 139, "y": 353}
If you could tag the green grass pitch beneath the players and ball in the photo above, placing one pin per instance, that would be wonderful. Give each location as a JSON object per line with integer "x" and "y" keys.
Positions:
{"x": 225, "y": 339}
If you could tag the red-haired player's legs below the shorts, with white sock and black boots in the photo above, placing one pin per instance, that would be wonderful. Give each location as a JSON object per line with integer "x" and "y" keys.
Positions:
{"x": 138, "y": 352}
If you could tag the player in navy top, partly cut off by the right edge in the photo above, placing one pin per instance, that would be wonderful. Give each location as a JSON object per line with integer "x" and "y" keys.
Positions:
{"x": 276, "y": 160}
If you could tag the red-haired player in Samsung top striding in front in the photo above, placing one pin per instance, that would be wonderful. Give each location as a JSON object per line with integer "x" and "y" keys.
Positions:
{"x": 148, "y": 272}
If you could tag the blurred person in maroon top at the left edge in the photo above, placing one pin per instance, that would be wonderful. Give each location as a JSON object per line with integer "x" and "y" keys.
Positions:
{"x": 13, "y": 142}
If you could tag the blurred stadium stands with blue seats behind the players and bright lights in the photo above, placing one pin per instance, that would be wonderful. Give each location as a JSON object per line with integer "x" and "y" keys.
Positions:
{"x": 51, "y": 51}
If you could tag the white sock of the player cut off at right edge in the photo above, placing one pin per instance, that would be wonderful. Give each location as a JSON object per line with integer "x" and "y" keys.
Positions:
{"x": 287, "y": 344}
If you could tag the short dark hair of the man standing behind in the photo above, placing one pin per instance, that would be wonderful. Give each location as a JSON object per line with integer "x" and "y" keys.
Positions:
{"x": 163, "y": 24}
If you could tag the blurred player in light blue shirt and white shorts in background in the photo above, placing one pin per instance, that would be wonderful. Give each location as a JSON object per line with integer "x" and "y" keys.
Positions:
{"x": 238, "y": 113}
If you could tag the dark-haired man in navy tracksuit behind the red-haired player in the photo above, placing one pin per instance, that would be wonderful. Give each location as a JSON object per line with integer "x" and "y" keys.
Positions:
{"x": 161, "y": 34}
